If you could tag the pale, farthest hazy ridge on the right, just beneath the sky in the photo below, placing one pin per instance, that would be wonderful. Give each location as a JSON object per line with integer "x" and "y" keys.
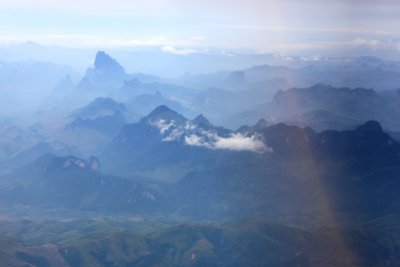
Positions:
{"x": 367, "y": 72}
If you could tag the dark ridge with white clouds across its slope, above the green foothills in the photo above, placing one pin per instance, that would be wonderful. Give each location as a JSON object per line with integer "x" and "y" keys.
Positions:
{"x": 168, "y": 164}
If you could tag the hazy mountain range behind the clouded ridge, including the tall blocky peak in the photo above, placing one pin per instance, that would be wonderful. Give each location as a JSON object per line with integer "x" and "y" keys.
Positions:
{"x": 248, "y": 91}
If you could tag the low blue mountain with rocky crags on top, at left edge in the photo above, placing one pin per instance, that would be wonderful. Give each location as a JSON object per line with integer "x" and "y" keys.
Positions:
{"x": 74, "y": 183}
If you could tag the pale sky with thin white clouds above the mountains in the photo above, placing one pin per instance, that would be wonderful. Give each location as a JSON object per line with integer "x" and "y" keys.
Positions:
{"x": 185, "y": 27}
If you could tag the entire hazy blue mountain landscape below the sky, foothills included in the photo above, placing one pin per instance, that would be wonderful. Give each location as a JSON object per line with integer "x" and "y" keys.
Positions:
{"x": 289, "y": 164}
